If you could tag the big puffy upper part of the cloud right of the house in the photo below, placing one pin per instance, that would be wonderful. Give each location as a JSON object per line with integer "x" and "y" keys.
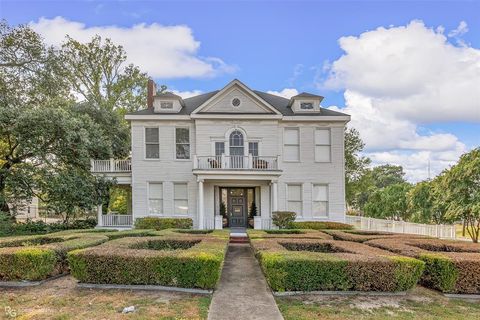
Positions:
{"x": 412, "y": 72}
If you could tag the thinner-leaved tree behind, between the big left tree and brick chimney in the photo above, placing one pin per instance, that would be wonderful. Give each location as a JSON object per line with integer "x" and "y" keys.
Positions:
{"x": 98, "y": 73}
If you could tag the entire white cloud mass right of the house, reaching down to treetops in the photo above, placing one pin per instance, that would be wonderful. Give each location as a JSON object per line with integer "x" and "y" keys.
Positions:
{"x": 399, "y": 78}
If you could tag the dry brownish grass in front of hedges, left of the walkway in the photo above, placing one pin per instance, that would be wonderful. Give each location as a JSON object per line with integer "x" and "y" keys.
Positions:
{"x": 60, "y": 299}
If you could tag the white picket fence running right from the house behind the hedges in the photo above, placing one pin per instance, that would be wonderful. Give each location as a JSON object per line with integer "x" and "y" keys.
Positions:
{"x": 433, "y": 230}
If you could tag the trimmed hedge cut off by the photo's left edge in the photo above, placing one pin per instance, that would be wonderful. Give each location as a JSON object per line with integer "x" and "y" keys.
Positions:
{"x": 39, "y": 257}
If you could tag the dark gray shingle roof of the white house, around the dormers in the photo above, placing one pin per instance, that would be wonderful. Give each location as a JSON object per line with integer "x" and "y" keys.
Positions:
{"x": 279, "y": 103}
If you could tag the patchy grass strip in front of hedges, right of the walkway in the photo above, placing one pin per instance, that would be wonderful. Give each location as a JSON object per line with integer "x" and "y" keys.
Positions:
{"x": 421, "y": 303}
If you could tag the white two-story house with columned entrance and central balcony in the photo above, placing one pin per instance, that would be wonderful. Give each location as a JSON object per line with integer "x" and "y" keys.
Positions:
{"x": 236, "y": 146}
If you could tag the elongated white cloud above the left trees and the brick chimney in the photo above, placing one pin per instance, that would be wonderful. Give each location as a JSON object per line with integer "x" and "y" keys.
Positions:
{"x": 162, "y": 51}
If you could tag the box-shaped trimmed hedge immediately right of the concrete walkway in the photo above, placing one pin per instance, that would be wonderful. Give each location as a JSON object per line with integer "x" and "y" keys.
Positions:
{"x": 314, "y": 264}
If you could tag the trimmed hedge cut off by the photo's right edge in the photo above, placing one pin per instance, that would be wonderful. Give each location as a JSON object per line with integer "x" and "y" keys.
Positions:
{"x": 450, "y": 266}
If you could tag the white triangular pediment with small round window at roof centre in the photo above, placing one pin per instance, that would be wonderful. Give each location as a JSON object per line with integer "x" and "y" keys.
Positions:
{"x": 236, "y": 98}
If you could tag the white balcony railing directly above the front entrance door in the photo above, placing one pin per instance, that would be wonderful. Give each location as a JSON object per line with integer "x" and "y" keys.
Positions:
{"x": 224, "y": 162}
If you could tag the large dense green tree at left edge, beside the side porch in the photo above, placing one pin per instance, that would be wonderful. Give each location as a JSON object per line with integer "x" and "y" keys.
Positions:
{"x": 46, "y": 138}
